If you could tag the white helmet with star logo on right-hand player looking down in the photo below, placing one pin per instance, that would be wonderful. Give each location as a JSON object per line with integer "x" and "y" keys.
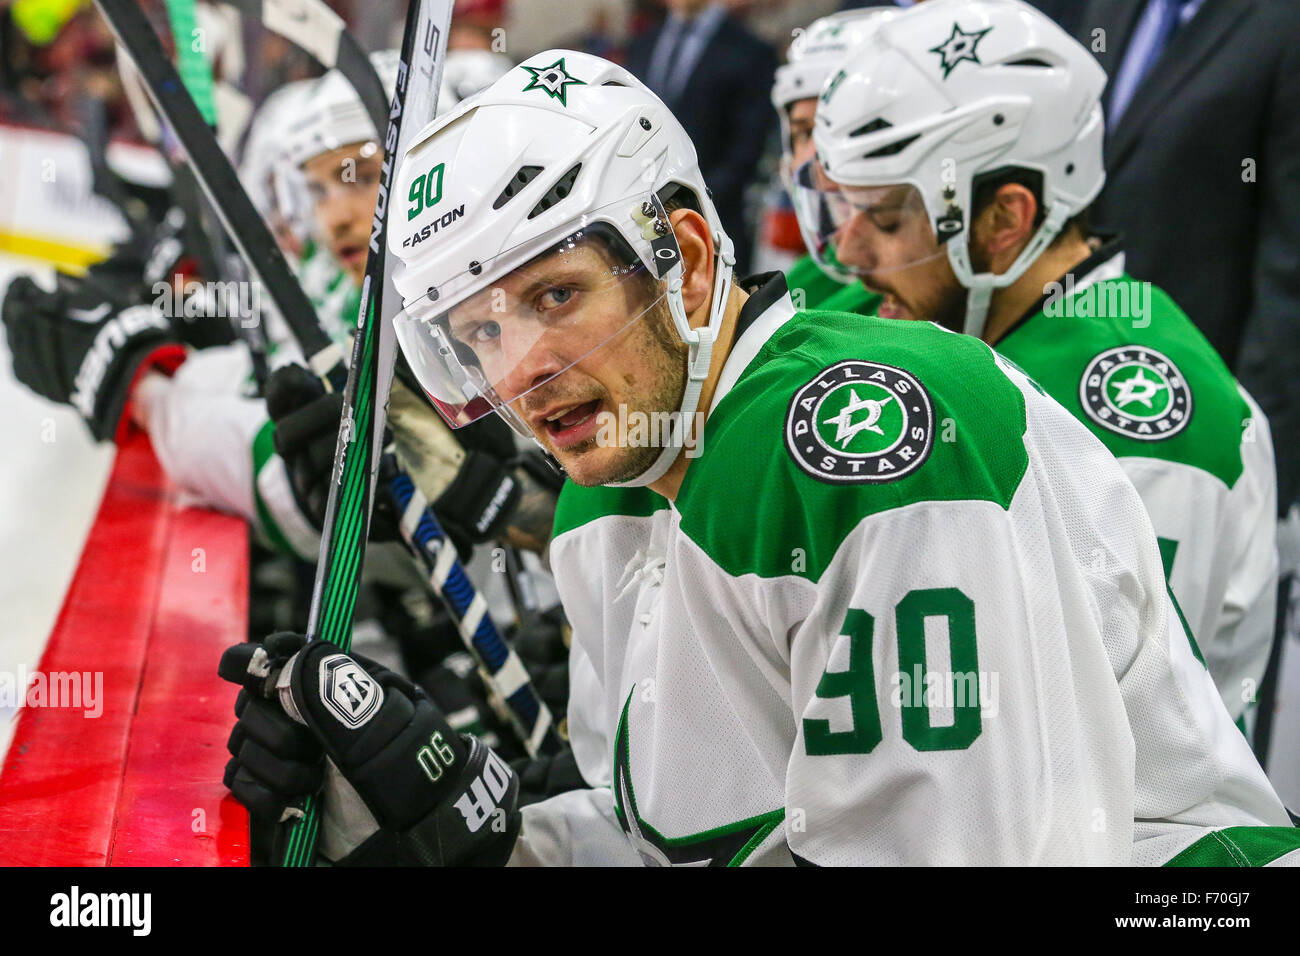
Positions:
{"x": 957, "y": 89}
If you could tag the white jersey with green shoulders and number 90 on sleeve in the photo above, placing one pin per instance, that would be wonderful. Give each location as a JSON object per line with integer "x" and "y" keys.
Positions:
{"x": 904, "y": 611}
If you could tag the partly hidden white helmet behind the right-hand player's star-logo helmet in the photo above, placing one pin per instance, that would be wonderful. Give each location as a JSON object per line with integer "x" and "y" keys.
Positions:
{"x": 814, "y": 54}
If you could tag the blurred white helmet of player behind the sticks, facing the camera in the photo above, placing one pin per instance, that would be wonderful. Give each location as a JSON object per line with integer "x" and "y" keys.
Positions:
{"x": 332, "y": 114}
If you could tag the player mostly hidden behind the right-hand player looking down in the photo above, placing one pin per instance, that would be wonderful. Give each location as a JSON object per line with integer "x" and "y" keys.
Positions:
{"x": 817, "y": 280}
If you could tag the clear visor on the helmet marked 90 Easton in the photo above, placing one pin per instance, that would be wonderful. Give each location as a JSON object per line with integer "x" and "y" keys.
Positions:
{"x": 509, "y": 330}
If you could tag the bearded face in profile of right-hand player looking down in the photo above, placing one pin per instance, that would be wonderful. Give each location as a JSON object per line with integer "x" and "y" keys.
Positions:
{"x": 890, "y": 243}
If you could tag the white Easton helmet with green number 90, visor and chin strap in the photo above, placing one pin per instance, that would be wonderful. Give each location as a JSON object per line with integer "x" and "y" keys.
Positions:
{"x": 564, "y": 148}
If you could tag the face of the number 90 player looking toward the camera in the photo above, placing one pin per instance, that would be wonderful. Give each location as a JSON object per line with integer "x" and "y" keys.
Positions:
{"x": 565, "y": 348}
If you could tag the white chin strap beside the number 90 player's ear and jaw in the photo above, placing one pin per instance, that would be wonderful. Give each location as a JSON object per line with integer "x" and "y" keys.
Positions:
{"x": 699, "y": 358}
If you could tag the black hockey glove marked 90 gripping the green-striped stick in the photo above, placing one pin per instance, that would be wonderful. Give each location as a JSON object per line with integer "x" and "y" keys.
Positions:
{"x": 401, "y": 786}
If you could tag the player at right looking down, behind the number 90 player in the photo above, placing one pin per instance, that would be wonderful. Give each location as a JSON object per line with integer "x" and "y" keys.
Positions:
{"x": 981, "y": 124}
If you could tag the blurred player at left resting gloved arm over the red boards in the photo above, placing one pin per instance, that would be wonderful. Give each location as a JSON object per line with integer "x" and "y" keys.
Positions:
{"x": 92, "y": 344}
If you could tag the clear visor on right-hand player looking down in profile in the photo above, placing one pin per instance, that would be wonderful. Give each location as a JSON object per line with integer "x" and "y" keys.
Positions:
{"x": 872, "y": 232}
